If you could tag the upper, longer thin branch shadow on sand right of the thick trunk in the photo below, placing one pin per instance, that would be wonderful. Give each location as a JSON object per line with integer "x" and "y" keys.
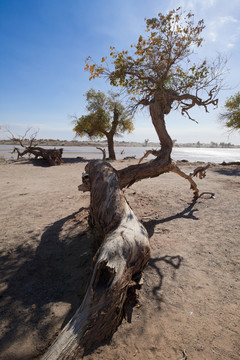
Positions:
{"x": 187, "y": 213}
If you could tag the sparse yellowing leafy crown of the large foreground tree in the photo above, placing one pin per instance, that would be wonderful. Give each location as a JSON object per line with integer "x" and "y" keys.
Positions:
{"x": 160, "y": 64}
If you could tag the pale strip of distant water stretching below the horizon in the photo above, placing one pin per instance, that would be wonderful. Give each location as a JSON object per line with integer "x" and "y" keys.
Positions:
{"x": 214, "y": 155}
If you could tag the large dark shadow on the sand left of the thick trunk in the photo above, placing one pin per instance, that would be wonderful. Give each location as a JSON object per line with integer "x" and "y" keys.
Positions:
{"x": 43, "y": 288}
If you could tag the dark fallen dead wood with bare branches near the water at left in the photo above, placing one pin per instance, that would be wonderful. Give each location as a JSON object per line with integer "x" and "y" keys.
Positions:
{"x": 52, "y": 156}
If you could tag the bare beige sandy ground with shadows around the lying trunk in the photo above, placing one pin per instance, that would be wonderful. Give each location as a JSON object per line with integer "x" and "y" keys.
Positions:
{"x": 190, "y": 300}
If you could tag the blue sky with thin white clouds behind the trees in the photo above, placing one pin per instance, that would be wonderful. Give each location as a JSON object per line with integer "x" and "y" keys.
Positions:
{"x": 44, "y": 44}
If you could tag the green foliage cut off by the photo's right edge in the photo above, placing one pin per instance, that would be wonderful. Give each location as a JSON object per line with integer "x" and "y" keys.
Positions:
{"x": 231, "y": 117}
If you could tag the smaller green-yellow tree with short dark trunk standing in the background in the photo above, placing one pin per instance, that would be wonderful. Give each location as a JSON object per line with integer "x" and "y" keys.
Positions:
{"x": 106, "y": 117}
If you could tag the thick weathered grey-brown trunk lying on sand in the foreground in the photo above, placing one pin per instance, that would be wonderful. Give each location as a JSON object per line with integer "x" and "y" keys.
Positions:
{"x": 118, "y": 266}
